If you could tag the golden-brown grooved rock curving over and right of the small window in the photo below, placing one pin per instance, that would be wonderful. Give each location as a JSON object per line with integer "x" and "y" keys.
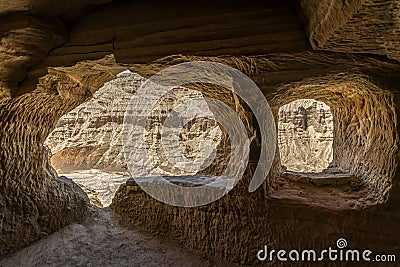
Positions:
{"x": 362, "y": 128}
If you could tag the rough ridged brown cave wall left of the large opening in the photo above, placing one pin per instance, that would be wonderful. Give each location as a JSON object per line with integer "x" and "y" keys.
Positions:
{"x": 33, "y": 202}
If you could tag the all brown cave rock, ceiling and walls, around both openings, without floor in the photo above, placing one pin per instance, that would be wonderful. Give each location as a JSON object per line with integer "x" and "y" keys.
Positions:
{"x": 345, "y": 53}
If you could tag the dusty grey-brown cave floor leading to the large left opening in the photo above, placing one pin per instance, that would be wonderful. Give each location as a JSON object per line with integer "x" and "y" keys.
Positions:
{"x": 101, "y": 240}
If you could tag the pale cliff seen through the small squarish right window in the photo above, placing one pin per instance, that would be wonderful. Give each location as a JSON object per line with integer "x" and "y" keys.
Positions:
{"x": 305, "y": 135}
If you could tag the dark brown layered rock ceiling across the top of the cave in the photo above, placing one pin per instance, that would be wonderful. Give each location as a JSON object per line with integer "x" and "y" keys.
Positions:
{"x": 38, "y": 34}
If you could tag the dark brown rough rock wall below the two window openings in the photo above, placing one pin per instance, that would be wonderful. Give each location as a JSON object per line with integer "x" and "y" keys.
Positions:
{"x": 237, "y": 226}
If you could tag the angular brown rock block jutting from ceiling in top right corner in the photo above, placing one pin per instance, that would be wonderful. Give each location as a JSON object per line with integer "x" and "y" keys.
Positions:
{"x": 357, "y": 26}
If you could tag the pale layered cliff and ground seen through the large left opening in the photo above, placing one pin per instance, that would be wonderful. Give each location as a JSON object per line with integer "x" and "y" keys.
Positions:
{"x": 87, "y": 142}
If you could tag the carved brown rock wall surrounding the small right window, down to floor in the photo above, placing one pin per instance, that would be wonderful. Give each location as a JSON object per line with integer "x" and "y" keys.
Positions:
{"x": 286, "y": 214}
